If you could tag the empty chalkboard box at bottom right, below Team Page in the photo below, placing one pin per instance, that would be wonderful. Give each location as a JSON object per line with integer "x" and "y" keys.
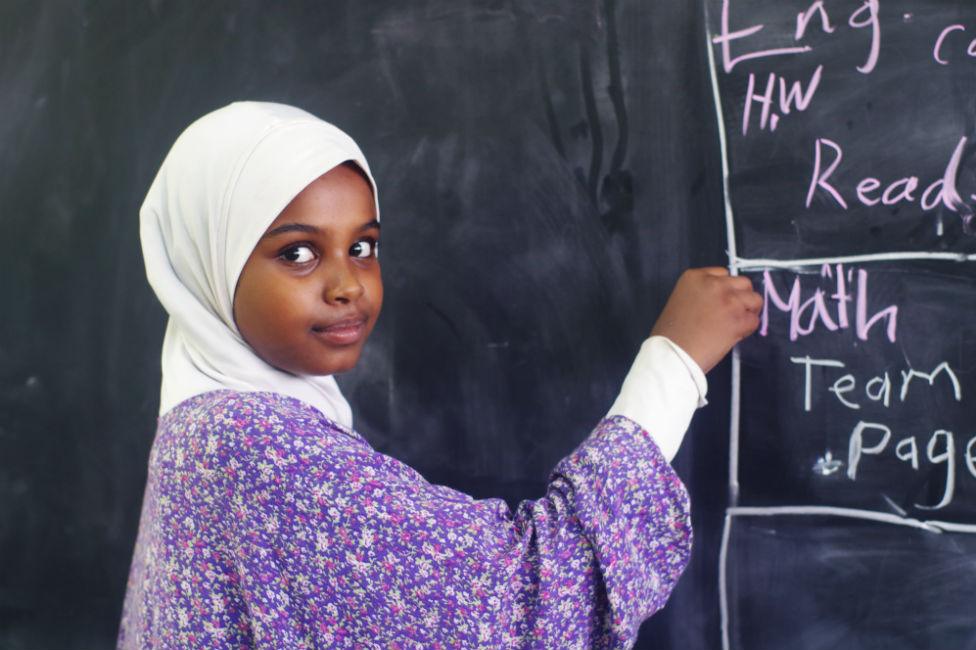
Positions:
{"x": 854, "y": 584}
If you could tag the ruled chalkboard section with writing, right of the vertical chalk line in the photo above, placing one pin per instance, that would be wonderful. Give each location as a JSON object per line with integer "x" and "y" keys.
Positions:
{"x": 848, "y": 139}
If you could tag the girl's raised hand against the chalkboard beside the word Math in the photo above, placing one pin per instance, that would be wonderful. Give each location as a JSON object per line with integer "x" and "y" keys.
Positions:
{"x": 708, "y": 312}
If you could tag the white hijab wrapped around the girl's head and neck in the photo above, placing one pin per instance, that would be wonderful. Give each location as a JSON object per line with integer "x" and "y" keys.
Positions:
{"x": 227, "y": 177}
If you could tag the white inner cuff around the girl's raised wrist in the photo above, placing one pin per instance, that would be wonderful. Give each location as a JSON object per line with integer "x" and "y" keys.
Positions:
{"x": 661, "y": 392}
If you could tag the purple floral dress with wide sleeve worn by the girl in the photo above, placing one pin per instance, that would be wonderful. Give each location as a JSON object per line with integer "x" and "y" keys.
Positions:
{"x": 266, "y": 525}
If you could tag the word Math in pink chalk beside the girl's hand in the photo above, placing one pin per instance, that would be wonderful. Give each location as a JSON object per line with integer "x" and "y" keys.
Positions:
{"x": 828, "y": 312}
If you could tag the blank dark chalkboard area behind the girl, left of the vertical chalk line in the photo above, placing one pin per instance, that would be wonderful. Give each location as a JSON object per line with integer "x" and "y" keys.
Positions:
{"x": 546, "y": 171}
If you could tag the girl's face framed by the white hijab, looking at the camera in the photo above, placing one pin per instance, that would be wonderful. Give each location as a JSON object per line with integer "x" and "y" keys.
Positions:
{"x": 311, "y": 290}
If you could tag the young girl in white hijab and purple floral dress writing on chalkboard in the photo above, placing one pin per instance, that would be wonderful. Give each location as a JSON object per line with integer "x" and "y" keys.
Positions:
{"x": 268, "y": 522}
